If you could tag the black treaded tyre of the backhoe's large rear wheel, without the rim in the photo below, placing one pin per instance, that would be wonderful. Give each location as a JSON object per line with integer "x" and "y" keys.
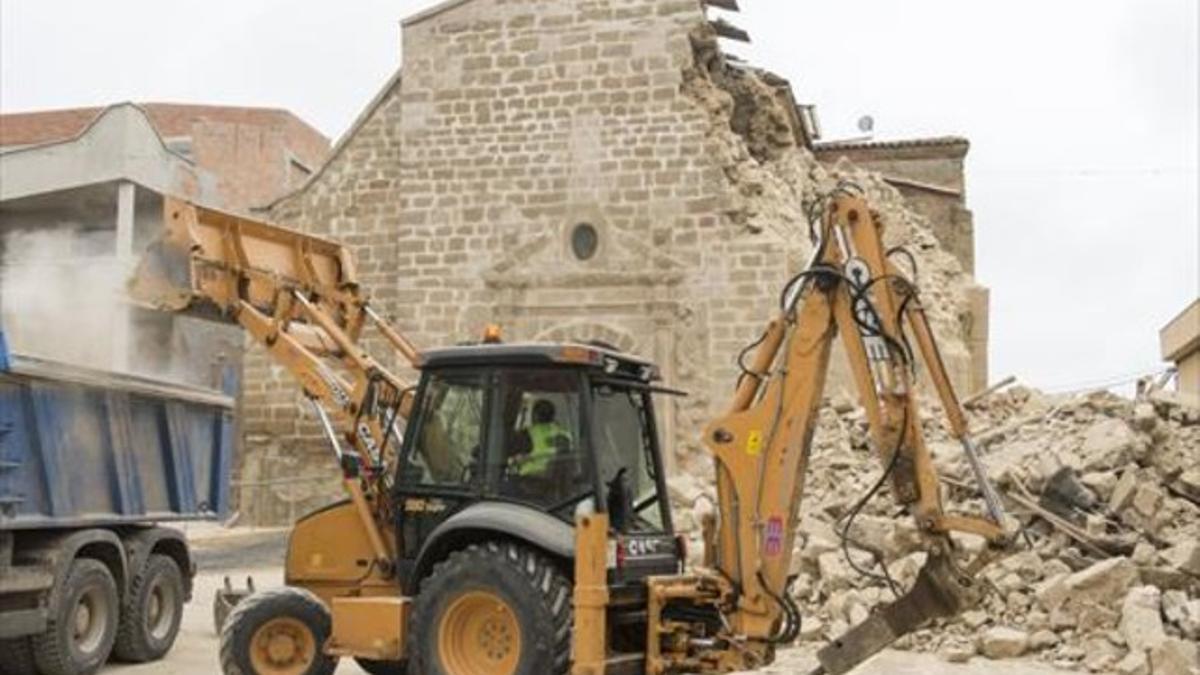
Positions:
{"x": 532, "y": 588}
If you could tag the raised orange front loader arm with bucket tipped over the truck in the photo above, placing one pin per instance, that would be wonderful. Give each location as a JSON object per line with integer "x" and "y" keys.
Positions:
{"x": 299, "y": 298}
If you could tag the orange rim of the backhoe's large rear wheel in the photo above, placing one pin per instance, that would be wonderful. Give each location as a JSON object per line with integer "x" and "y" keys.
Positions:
{"x": 479, "y": 635}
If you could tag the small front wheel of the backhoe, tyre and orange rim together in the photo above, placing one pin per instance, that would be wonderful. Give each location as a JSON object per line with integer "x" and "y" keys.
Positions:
{"x": 278, "y": 632}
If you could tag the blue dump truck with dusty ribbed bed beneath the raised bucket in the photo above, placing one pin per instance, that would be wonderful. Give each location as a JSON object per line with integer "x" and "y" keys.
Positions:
{"x": 92, "y": 467}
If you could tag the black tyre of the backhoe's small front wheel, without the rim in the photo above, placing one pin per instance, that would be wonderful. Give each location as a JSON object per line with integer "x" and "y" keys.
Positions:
{"x": 261, "y": 610}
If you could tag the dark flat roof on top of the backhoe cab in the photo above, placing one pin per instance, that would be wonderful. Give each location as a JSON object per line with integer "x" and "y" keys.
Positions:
{"x": 543, "y": 355}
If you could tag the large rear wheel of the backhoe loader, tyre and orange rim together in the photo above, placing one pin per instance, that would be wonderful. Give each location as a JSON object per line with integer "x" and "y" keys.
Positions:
{"x": 493, "y": 610}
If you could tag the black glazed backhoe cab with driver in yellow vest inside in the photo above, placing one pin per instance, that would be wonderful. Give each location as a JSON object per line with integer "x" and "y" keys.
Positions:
{"x": 538, "y": 433}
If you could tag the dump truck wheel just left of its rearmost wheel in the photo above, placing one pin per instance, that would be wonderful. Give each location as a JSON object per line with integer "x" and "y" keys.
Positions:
{"x": 82, "y": 625}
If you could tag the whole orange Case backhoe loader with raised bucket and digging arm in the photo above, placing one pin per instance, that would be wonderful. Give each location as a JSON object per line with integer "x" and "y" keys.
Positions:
{"x": 509, "y": 515}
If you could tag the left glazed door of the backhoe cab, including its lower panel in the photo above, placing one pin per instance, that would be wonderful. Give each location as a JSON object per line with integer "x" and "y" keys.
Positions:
{"x": 440, "y": 468}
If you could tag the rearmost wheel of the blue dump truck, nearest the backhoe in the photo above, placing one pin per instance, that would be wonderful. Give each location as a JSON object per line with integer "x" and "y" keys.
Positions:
{"x": 152, "y": 613}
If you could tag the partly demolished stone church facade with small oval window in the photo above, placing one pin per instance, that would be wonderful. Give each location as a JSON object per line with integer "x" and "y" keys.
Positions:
{"x": 539, "y": 165}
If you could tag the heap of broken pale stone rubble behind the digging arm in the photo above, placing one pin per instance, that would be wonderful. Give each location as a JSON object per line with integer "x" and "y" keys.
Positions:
{"x": 1108, "y": 491}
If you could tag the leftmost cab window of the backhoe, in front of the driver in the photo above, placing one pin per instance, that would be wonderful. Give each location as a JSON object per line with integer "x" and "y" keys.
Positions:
{"x": 451, "y": 432}
